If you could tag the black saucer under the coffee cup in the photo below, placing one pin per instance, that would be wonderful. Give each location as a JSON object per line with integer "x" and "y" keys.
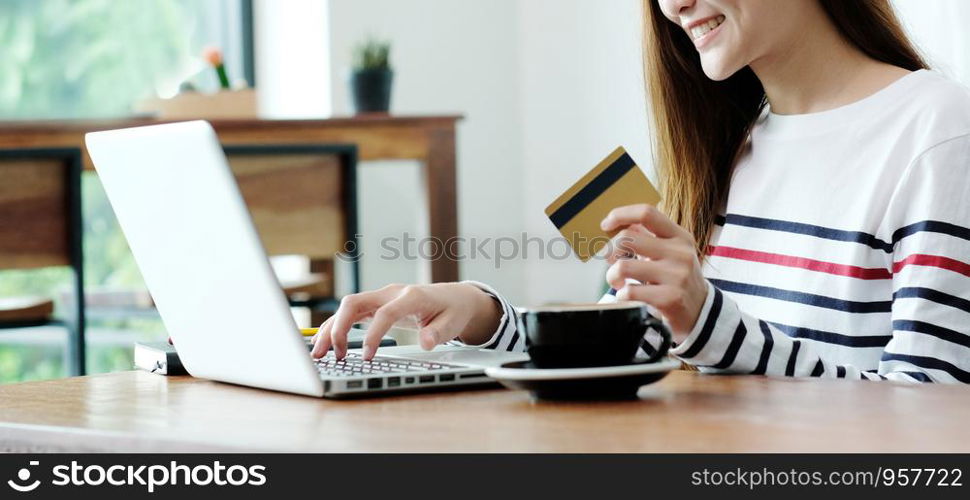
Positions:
{"x": 595, "y": 383}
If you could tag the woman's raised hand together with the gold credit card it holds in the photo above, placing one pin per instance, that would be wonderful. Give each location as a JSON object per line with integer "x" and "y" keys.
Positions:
{"x": 652, "y": 259}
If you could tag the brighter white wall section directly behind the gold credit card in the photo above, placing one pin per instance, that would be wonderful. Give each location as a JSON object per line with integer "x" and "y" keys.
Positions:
{"x": 582, "y": 95}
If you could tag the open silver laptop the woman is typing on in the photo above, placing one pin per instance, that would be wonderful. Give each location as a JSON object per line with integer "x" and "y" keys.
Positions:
{"x": 192, "y": 237}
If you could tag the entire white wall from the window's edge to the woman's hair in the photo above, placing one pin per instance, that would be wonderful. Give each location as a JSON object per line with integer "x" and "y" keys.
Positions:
{"x": 548, "y": 88}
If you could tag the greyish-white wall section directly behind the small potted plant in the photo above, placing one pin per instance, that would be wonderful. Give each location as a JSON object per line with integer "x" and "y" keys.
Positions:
{"x": 450, "y": 56}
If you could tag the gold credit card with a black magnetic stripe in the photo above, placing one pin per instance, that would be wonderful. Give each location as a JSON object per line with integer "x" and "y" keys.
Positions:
{"x": 614, "y": 182}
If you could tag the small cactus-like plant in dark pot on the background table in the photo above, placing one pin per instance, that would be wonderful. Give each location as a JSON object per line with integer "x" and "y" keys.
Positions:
{"x": 370, "y": 81}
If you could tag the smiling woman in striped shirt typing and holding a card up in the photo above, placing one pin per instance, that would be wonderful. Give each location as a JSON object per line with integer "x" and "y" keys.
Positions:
{"x": 817, "y": 213}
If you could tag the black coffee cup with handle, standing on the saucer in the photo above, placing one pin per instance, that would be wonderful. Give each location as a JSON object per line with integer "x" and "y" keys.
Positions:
{"x": 588, "y": 335}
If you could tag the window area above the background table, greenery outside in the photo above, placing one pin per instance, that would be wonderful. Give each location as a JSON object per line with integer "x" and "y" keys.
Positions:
{"x": 97, "y": 58}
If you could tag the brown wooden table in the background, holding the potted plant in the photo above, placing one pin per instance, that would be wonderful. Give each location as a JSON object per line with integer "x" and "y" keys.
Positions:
{"x": 427, "y": 139}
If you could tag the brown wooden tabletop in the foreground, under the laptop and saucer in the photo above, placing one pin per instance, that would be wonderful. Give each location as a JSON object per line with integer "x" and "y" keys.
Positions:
{"x": 686, "y": 412}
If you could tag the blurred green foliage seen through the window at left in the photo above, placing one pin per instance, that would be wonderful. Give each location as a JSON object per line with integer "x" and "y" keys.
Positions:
{"x": 90, "y": 59}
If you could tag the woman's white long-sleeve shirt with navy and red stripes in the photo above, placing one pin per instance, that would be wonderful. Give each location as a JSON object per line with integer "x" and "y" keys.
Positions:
{"x": 843, "y": 247}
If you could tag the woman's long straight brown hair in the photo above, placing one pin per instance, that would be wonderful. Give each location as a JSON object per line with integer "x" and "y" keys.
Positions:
{"x": 700, "y": 126}
